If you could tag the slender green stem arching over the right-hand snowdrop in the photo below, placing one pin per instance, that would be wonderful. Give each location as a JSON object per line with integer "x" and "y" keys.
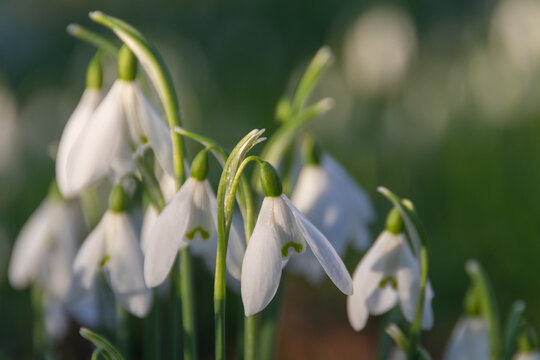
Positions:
{"x": 417, "y": 236}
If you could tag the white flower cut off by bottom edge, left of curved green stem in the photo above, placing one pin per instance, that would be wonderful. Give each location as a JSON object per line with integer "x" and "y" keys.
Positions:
{"x": 469, "y": 340}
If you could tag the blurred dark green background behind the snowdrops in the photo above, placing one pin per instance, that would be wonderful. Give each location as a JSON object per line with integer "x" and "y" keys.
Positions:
{"x": 437, "y": 100}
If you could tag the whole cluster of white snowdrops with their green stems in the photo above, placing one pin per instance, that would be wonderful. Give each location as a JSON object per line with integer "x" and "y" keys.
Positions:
{"x": 117, "y": 141}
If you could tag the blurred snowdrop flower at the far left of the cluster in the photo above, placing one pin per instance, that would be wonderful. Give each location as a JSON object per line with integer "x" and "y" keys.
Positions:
{"x": 43, "y": 255}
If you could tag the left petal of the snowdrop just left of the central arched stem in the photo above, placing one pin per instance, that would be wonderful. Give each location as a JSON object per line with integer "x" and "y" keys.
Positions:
{"x": 167, "y": 236}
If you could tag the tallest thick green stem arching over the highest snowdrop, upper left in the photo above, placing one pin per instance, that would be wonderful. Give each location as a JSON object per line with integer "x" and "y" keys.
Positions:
{"x": 159, "y": 74}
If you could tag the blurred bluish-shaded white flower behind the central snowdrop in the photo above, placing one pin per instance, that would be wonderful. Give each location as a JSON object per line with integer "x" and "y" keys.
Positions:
{"x": 337, "y": 206}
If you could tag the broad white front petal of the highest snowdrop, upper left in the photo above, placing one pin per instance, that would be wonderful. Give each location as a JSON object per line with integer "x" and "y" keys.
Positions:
{"x": 101, "y": 142}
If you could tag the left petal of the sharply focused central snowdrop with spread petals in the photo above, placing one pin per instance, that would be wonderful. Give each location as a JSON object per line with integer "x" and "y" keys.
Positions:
{"x": 261, "y": 269}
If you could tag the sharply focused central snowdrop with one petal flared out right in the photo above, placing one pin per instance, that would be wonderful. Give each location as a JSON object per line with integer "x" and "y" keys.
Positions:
{"x": 281, "y": 231}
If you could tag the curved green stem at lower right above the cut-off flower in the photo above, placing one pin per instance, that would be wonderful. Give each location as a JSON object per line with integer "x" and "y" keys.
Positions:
{"x": 487, "y": 305}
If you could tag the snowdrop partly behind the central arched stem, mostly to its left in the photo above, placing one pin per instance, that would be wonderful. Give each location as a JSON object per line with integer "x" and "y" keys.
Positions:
{"x": 190, "y": 219}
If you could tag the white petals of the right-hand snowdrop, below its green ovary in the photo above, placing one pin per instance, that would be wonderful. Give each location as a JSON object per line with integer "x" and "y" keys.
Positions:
{"x": 388, "y": 273}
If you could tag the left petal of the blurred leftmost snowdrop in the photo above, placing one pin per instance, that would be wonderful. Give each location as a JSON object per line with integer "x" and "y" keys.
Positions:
{"x": 29, "y": 250}
